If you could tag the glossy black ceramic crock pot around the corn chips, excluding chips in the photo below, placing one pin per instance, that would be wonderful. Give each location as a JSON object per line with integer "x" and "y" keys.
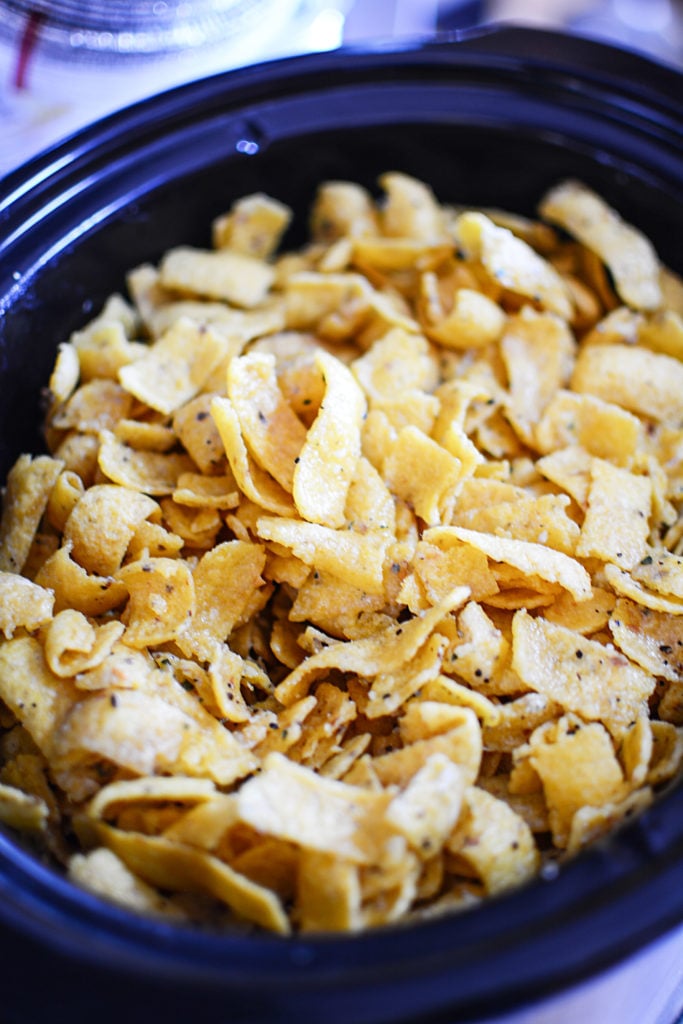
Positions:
{"x": 491, "y": 118}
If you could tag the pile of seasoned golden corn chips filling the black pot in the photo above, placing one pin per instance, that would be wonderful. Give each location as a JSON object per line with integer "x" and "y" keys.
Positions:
{"x": 352, "y": 591}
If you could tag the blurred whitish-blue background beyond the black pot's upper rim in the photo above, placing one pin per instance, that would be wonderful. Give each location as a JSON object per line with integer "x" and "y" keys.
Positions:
{"x": 67, "y": 63}
